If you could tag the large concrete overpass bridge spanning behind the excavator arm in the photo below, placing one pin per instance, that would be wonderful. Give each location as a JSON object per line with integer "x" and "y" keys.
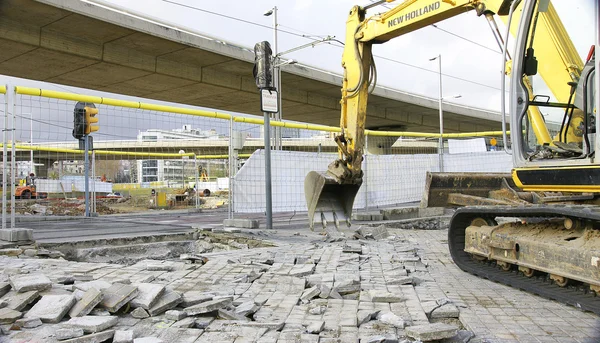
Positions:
{"x": 80, "y": 44}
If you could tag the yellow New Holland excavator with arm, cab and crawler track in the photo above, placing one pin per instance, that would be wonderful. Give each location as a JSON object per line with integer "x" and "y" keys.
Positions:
{"x": 548, "y": 249}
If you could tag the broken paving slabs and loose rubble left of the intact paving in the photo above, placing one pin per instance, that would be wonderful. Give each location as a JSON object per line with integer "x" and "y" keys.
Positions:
{"x": 347, "y": 291}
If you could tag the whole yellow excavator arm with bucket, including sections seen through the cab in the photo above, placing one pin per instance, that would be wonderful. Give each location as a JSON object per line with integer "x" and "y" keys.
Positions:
{"x": 330, "y": 195}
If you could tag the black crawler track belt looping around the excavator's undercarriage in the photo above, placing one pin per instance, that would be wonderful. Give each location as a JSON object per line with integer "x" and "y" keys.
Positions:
{"x": 580, "y": 297}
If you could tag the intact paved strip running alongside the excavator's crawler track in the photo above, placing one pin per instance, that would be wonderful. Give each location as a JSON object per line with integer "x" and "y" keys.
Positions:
{"x": 498, "y": 313}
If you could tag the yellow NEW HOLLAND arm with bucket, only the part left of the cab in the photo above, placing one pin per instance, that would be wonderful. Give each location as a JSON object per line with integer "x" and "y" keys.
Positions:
{"x": 330, "y": 195}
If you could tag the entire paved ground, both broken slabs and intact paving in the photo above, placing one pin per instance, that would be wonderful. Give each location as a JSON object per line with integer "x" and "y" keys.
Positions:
{"x": 402, "y": 286}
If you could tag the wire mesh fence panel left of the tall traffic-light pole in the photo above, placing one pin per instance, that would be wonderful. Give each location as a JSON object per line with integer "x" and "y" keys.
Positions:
{"x": 140, "y": 159}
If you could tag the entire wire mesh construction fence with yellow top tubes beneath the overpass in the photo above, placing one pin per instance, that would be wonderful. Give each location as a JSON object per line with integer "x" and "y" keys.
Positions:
{"x": 149, "y": 156}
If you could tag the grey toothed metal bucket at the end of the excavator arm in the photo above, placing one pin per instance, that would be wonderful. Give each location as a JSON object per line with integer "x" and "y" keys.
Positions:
{"x": 328, "y": 201}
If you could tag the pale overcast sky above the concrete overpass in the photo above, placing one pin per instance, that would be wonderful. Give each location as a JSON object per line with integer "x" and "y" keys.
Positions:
{"x": 469, "y": 51}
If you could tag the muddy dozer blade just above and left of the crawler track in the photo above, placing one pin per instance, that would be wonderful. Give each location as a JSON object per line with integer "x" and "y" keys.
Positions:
{"x": 441, "y": 188}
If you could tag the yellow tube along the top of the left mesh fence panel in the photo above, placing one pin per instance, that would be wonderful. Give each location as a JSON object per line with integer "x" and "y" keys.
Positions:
{"x": 118, "y": 103}
